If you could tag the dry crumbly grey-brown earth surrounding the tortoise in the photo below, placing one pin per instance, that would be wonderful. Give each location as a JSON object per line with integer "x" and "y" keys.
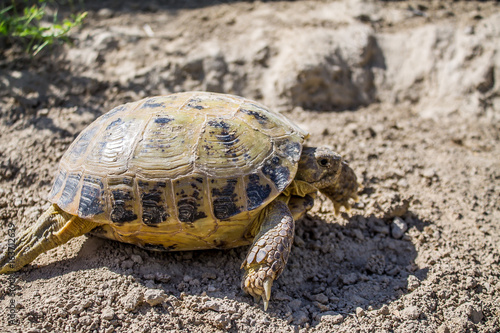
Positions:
{"x": 408, "y": 92}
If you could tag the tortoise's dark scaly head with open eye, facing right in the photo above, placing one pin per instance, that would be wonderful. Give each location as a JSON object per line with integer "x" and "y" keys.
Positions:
{"x": 330, "y": 174}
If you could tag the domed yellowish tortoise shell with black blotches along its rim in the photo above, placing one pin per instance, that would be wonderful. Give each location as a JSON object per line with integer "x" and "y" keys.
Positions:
{"x": 179, "y": 172}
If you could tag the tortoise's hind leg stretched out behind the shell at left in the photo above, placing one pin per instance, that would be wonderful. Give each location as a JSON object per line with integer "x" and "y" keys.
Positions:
{"x": 55, "y": 227}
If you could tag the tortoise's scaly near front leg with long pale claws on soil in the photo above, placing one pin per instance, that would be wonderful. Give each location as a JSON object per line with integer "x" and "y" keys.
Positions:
{"x": 269, "y": 252}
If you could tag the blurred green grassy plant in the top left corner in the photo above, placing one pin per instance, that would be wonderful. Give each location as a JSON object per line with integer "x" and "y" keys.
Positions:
{"x": 33, "y": 27}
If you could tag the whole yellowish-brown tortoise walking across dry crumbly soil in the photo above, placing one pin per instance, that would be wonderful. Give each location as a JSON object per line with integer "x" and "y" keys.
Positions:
{"x": 189, "y": 171}
